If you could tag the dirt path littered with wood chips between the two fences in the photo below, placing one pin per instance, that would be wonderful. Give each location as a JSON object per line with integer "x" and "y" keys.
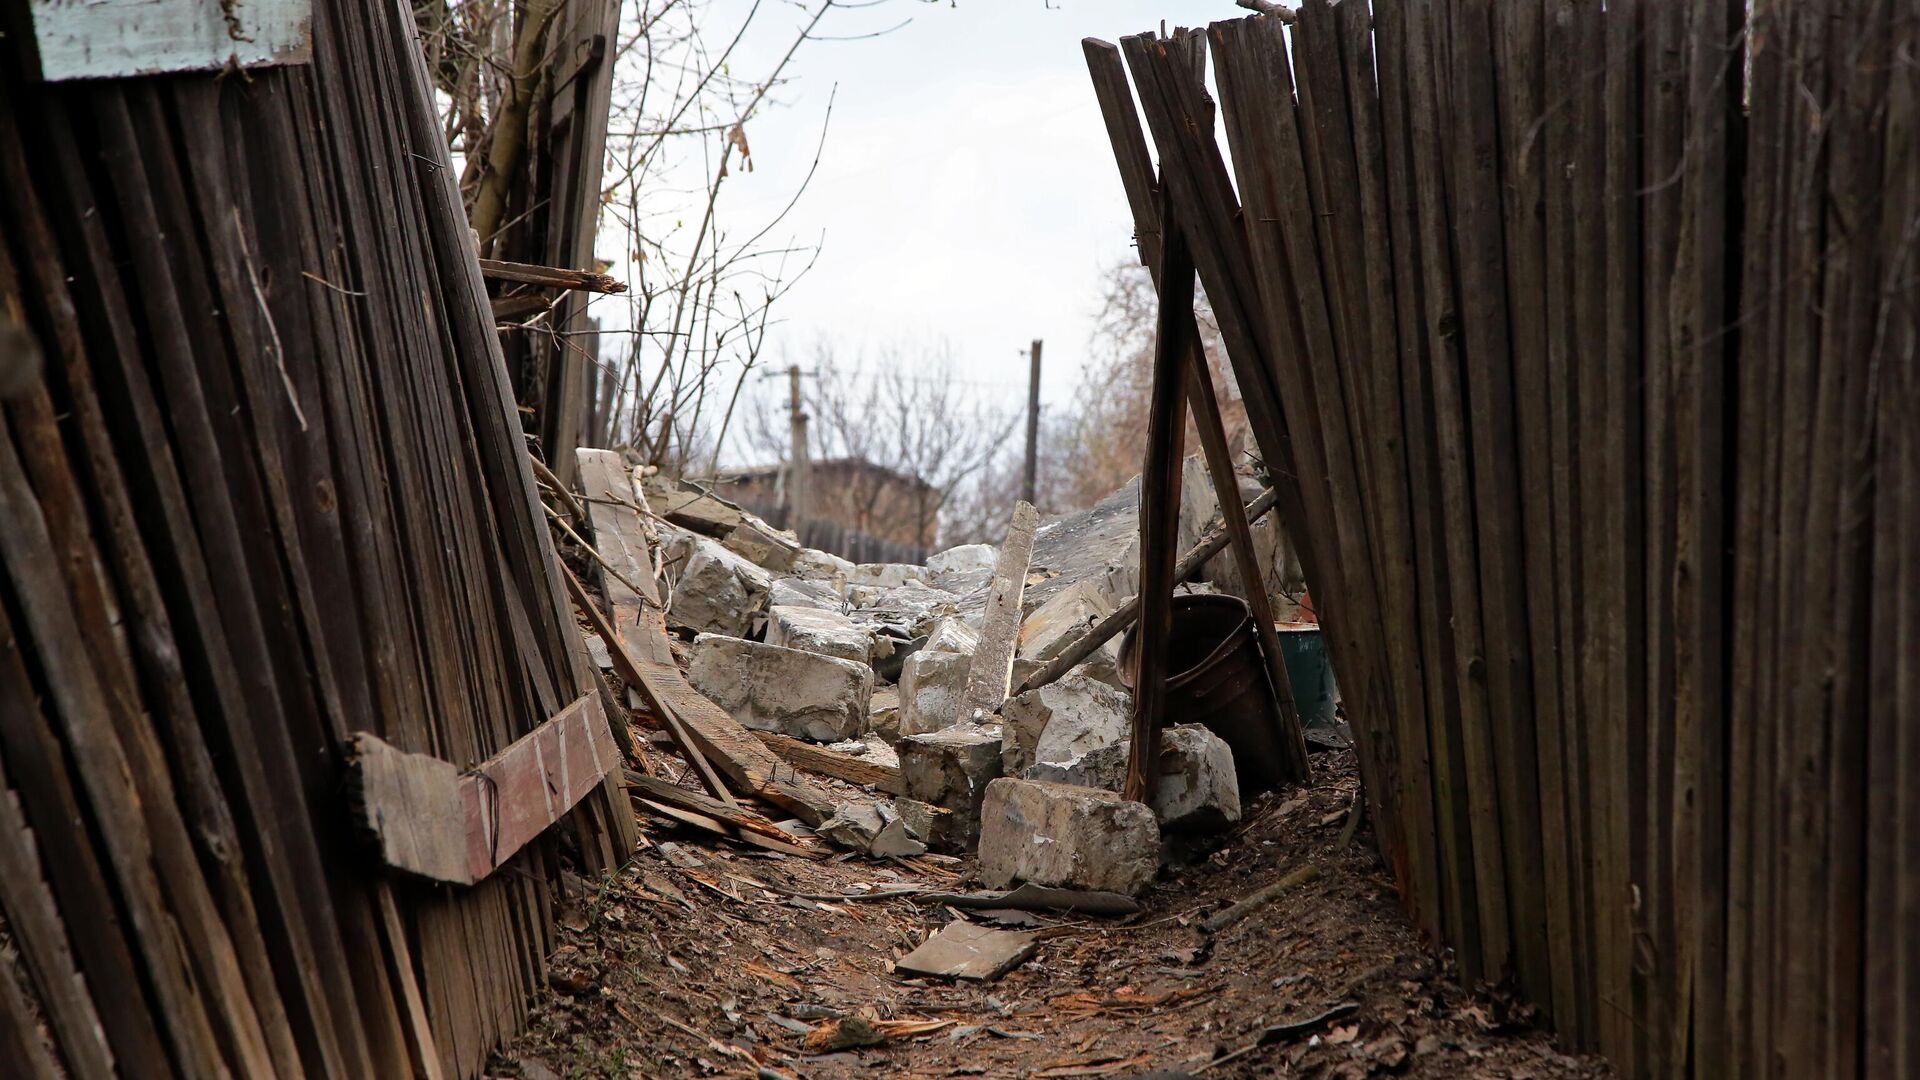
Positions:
{"x": 698, "y": 971}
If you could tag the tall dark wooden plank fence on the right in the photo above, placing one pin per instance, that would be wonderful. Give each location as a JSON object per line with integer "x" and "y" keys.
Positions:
{"x": 1583, "y": 341}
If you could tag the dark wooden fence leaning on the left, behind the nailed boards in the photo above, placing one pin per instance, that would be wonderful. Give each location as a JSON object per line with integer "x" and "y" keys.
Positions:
{"x": 264, "y": 489}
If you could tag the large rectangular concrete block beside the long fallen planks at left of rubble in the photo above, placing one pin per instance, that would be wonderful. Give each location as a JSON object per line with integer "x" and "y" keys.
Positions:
{"x": 782, "y": 691}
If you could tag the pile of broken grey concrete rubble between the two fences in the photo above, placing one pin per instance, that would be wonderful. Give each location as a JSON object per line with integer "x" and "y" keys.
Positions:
{"x": 873, "y": 660}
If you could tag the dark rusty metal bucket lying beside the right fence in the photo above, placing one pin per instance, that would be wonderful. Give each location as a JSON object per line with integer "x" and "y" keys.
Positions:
{"x": 1218, "y": 679}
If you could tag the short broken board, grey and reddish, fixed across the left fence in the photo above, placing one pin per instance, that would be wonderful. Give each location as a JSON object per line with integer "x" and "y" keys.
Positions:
{"x": 458, "y": 827}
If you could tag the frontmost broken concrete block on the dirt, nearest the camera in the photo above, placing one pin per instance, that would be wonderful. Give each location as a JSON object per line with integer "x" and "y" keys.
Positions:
{"x": 1068, "y": 837}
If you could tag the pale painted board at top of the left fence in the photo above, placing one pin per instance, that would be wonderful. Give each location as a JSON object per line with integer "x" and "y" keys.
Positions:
{"x": 116, "y": 39}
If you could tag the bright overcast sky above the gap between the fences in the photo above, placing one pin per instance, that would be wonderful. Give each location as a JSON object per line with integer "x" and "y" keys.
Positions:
{"x": 967, "y": 191}
